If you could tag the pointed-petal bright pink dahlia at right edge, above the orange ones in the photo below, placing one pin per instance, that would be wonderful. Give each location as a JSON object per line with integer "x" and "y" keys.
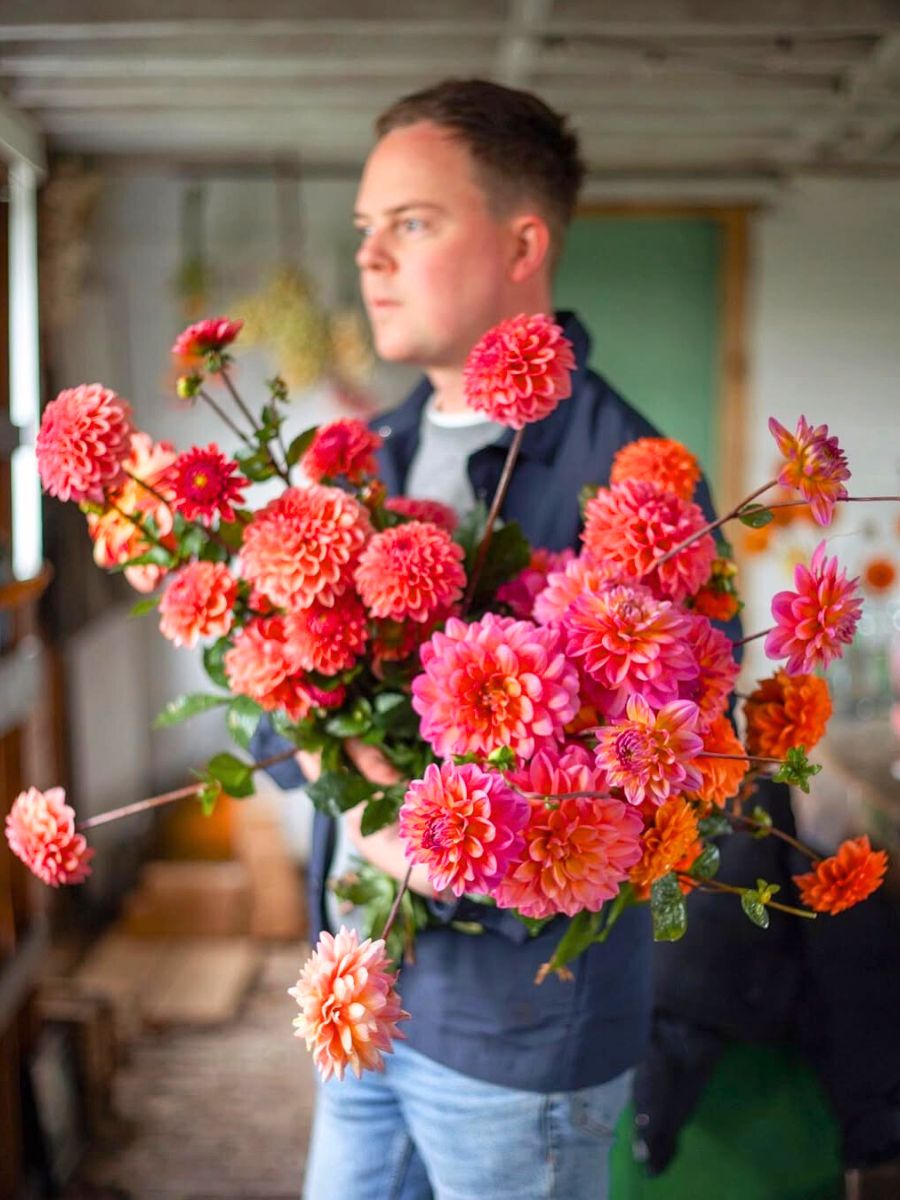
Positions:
{"x": 814, "y": 623}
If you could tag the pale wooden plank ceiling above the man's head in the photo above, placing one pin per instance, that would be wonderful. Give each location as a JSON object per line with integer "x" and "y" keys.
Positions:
{"x": 656, "y": 88}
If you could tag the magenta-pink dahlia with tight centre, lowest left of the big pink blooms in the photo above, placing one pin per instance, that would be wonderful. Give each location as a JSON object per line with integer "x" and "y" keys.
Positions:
{"x": 464, "y": 825}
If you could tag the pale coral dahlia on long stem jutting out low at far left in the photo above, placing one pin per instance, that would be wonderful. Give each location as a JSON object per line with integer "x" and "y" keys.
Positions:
{"x": 41, "y": 831}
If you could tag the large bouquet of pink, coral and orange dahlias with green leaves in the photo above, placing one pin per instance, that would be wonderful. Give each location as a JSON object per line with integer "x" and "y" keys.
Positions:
{"x": 559, "y": 723}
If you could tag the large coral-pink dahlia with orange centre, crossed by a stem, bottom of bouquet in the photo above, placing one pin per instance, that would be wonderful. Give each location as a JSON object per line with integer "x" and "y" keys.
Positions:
{"x": 578, "y": 851}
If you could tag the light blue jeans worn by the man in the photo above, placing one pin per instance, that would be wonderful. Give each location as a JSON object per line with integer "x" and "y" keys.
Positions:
{"x": 423, "y": 1132}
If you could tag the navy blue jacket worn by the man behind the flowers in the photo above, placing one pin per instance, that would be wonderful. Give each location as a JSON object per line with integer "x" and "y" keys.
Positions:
{"x": 475, "y": 1004}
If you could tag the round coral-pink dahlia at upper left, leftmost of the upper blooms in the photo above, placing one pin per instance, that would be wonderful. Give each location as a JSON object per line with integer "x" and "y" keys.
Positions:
{"x": 83, "y": 443}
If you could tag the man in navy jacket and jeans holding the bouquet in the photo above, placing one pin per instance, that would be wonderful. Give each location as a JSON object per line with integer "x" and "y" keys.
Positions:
{"x": 505, "y": 1090}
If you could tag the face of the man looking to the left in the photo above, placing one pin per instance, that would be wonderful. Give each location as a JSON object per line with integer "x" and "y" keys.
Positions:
{"x": 434, "y": 260}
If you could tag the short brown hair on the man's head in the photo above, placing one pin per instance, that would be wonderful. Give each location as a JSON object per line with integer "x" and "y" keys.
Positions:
{"x": 521, "y": 146}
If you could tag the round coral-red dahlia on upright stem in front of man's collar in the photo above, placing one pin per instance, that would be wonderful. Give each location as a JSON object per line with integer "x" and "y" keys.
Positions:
{"x": 520, "y": 371}
